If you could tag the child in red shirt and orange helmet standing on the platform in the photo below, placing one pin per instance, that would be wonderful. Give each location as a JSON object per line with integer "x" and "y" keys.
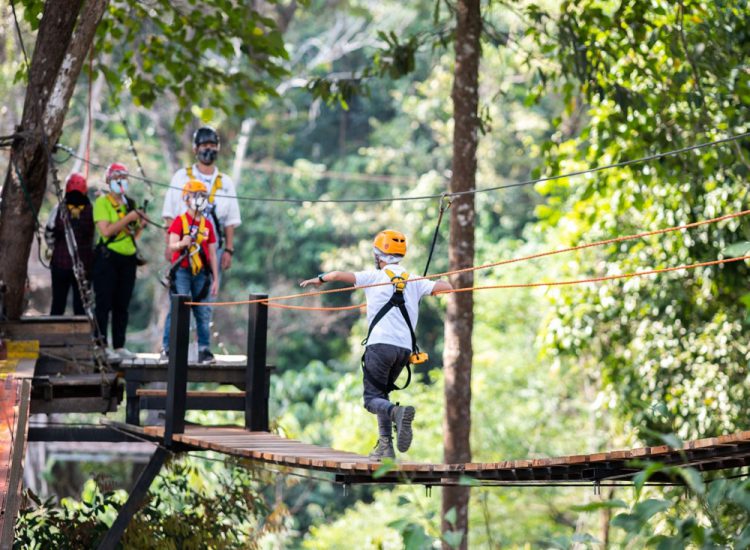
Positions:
{"x": 195, "y": 269}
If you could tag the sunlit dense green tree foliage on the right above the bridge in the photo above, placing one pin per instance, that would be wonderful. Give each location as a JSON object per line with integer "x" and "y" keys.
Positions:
{"x": 639, "y": 80}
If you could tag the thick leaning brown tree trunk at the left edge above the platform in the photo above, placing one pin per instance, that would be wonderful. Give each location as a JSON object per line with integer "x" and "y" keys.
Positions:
{"x": 59, "y": 53}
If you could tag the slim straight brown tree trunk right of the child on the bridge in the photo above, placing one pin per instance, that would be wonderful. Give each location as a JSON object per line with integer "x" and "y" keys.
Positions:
{"x": 458, "y": 353}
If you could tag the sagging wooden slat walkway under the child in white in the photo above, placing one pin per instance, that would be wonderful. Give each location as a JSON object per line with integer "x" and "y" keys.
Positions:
{"x": 728, "y": 451}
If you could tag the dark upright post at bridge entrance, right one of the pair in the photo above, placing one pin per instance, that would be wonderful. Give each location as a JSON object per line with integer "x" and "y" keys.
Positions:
{"x": 256, "y": 380}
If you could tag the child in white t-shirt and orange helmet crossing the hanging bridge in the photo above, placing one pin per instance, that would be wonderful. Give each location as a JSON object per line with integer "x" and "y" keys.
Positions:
{"x": 391, "y": 343}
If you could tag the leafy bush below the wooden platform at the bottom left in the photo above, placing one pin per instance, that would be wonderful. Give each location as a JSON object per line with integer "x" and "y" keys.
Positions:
{"x": 195, "y": 504}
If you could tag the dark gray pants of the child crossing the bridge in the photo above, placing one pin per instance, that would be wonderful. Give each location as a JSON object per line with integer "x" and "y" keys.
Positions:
{"x": 383, "y": 363}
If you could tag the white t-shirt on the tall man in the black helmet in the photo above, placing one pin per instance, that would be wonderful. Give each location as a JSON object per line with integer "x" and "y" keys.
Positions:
{"x": 225, "y": 200}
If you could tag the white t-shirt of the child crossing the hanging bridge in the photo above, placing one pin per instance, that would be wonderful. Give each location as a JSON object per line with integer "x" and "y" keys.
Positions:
{"x": 392, "y": 328}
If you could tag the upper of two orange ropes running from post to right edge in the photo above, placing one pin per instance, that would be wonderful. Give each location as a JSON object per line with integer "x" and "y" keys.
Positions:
{"x": 484, "y": 266}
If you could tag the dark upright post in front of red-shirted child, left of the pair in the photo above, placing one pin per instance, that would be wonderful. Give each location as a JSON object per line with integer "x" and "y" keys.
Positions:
{"x": 179, "y": 340}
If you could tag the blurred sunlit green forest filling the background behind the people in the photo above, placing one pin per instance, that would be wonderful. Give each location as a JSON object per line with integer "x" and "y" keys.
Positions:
{"x": 556, "y": 370}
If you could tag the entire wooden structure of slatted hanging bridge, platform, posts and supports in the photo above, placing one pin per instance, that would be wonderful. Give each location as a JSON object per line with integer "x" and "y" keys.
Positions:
{"x": 54, "y": 373}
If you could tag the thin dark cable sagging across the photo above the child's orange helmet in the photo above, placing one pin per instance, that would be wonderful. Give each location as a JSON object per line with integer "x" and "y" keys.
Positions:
{"x": 621, "y": 164}
